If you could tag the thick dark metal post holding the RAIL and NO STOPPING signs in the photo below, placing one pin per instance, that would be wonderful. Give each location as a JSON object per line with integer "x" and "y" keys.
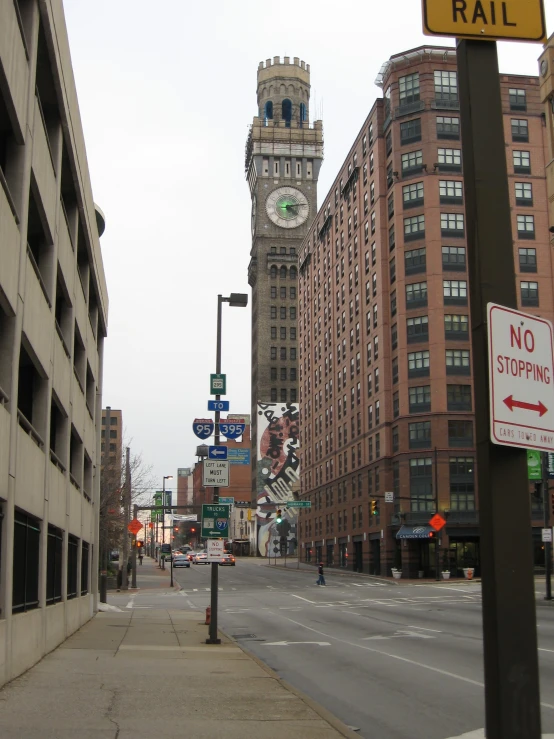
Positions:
{"x": 512, "y": 695}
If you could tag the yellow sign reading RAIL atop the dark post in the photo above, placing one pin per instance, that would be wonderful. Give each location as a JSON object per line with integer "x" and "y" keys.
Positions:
{"x": 509, "y": 20}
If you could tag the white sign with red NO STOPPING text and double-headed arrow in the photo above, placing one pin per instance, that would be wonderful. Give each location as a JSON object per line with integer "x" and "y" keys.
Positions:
{"x": 521, "y": 379}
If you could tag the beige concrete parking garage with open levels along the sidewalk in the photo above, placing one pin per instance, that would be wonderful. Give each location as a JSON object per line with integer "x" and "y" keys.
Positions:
{"x": 53, "y": 317}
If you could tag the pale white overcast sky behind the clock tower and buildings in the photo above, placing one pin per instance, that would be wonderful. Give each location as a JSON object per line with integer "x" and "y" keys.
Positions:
{"x": 166, "y": 93}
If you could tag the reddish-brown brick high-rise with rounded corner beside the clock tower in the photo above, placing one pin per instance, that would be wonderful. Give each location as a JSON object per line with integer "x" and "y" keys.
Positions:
{"x": 385, "y": 369}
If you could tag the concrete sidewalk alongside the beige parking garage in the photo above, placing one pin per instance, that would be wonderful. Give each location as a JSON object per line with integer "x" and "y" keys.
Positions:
{"x": 141, "y": 673}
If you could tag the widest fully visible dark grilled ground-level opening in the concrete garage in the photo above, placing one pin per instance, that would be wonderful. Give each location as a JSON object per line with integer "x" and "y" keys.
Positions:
{"x": 26, "y": 547}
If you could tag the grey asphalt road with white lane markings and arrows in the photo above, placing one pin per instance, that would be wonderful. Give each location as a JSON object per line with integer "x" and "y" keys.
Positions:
{"x": 393, "y": 660}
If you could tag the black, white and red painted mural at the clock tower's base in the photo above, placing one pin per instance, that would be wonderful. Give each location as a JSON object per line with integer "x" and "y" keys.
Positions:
{"x": 277, "y": 477}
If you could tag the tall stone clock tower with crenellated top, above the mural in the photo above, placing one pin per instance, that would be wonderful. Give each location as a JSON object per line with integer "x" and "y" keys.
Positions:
{"x": 283, "y": 158}
